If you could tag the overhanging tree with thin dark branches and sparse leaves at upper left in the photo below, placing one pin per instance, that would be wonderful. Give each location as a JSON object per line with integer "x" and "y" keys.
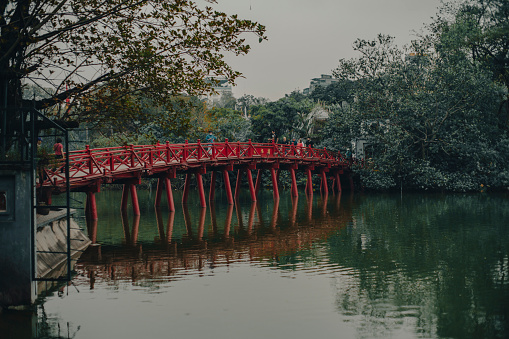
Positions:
{"x": 92, "y": 54}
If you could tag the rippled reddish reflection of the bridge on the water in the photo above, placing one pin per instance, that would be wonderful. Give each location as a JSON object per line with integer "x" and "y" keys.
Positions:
{"x": 250, "y": 238}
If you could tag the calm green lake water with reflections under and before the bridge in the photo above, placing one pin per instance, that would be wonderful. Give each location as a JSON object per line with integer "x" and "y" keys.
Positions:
{"x": 361, "y": 266}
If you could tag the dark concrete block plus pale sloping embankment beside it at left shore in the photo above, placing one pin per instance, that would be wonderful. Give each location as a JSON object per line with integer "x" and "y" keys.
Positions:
{"x": 24, "y": 233}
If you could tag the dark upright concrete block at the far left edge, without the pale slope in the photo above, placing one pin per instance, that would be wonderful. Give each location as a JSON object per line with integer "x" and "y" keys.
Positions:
{"x": 17, "y": 286}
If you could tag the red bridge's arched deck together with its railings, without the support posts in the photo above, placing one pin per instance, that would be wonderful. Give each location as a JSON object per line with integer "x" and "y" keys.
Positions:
{"x": 116, "y": 164}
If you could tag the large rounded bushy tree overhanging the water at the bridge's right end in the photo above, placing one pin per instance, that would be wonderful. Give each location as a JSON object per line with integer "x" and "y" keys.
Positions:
{"x": 430, "y": 116}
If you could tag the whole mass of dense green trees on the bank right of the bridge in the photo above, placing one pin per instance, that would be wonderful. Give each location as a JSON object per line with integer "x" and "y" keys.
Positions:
{"x": 435, "y": 111}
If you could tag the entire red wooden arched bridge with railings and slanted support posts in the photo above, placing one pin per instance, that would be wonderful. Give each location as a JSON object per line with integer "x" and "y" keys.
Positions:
{"x": 90, "y": 168}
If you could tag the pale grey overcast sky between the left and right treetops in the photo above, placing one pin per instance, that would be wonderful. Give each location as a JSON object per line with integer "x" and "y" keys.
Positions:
{"x": 308, "y": 37}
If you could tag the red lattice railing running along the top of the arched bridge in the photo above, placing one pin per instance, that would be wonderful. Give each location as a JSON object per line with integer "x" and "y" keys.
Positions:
{"x": 105, "y": 161}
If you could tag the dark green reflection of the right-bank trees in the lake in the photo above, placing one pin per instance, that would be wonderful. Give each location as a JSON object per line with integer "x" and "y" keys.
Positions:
{"x": 440, "y": 262}
